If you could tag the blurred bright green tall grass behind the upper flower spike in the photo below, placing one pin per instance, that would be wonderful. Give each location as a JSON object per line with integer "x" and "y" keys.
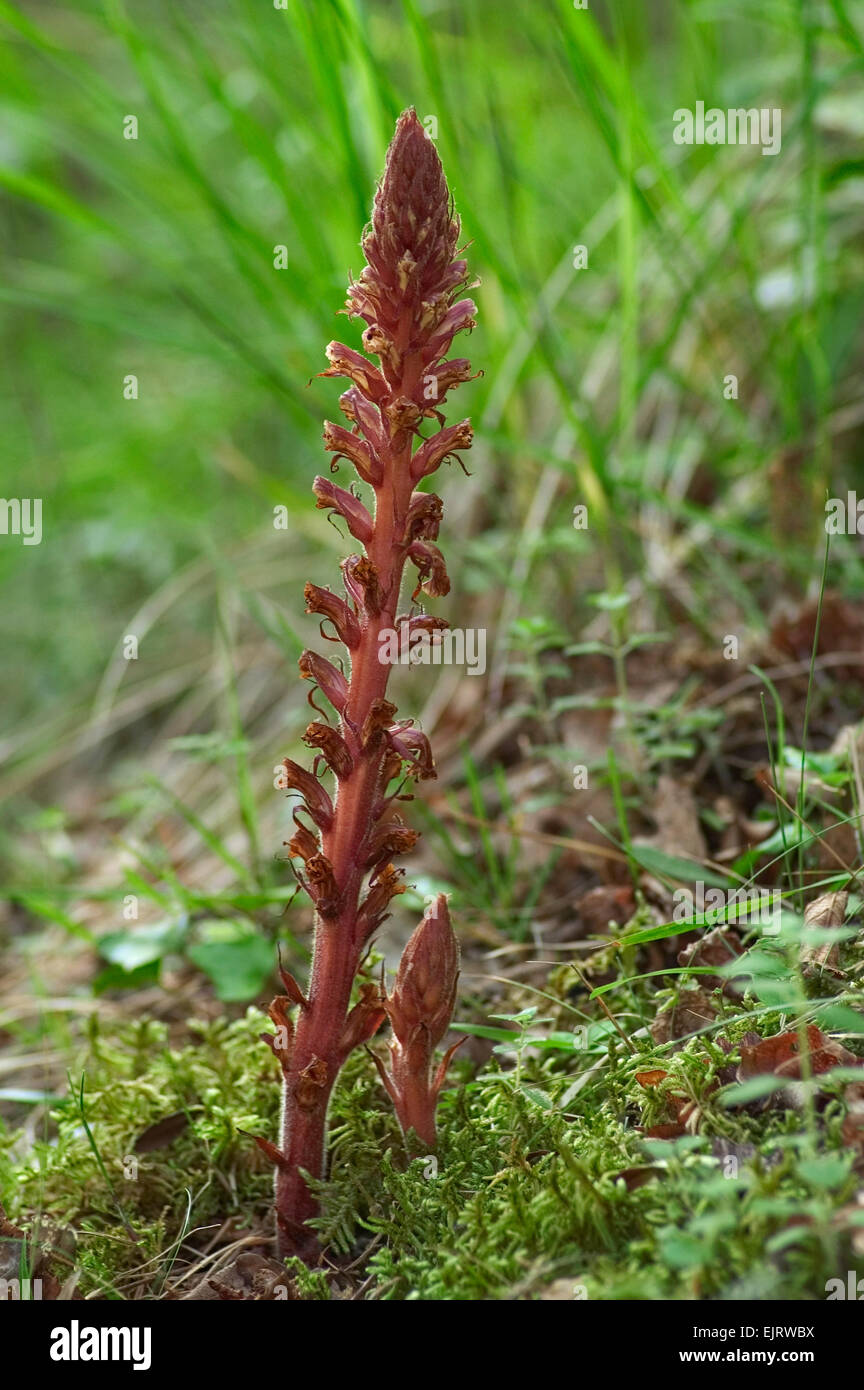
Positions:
{"x": 263, "y": 127}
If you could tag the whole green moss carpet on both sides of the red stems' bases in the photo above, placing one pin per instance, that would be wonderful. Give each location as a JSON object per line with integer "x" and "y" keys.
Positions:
{"x": 531, "y": 1188}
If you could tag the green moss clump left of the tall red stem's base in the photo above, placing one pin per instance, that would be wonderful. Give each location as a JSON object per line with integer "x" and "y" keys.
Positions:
{"x": 127, "y": 1211}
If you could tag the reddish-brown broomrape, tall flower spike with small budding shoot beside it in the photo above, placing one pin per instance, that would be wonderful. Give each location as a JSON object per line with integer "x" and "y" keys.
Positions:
{"x": 347, "y": 843}
